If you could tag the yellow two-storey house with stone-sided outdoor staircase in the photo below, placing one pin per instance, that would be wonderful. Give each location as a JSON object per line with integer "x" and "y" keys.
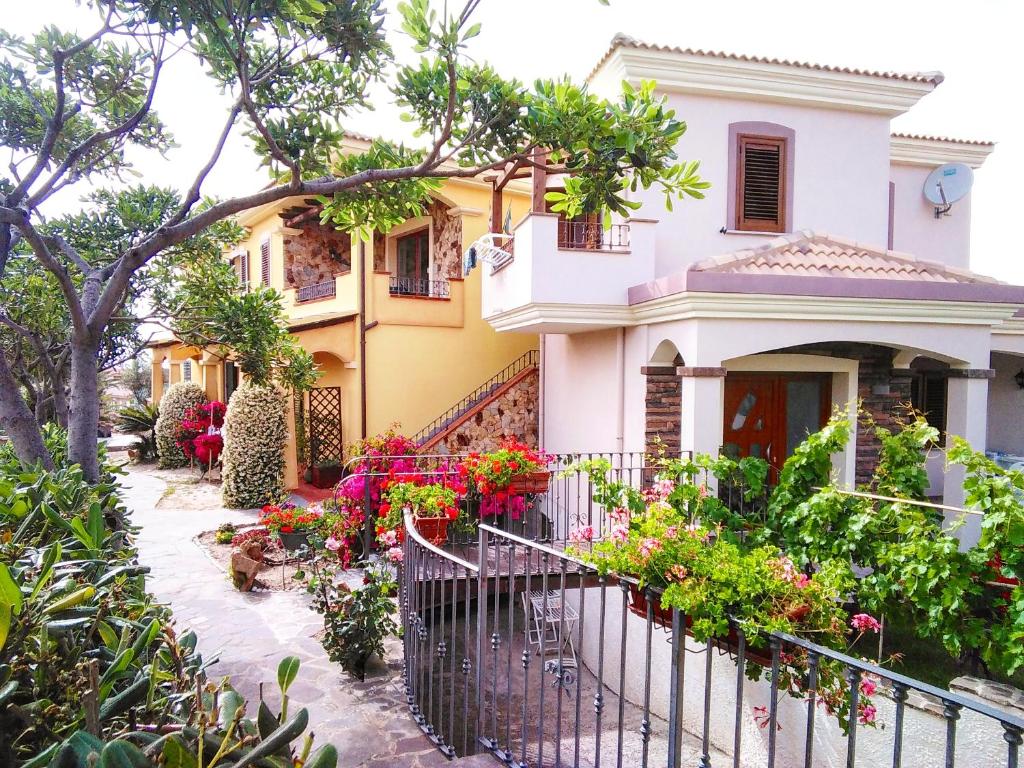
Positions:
{"x": 395, "y": 328}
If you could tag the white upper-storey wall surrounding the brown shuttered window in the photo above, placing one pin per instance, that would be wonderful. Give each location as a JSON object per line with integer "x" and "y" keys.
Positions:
{"x": 841, "y": 178}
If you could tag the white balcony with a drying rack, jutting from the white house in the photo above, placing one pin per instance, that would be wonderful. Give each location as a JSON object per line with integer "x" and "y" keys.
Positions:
{"x": 565, "y": 277}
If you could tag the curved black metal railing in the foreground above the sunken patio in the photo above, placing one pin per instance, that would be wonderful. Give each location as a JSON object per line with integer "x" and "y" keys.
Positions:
{"x": 519, "y": 649}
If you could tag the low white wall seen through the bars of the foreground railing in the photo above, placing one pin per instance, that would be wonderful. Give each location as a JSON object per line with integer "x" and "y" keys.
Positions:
{"x": 979, "y": 741}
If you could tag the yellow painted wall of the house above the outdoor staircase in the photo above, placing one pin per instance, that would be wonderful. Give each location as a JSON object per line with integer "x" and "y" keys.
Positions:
{"x": 423, "y": 355}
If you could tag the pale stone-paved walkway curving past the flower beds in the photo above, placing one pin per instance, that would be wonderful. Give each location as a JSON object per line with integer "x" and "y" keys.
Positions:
{"x": 250, "y": 633}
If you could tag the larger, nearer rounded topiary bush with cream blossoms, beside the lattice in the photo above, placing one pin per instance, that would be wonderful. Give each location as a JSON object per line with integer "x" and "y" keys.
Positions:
{"x": 255, "y": 434}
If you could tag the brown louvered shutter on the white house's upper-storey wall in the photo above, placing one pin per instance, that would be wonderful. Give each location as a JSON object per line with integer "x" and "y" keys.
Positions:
{"x": 761, "y": 187}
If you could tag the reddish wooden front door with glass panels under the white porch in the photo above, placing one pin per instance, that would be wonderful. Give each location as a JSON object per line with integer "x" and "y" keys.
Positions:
{"x": 769, "y": 415}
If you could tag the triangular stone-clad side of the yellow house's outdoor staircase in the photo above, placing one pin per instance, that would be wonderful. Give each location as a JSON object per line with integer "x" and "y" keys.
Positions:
{"x": 513, "y": 414}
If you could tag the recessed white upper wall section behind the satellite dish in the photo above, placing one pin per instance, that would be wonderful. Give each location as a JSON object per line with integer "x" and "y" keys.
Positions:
{"x": 916, "y": 231}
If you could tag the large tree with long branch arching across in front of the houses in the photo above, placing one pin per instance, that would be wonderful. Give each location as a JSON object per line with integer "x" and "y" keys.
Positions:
{"x": 72, "y": 107}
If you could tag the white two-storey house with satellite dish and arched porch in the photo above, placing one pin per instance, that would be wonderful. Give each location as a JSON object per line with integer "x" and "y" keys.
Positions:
{"x": 814, "y": 276}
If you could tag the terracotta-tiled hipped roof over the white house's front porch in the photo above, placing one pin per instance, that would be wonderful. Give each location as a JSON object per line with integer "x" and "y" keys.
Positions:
{"x": 813, "y": 254}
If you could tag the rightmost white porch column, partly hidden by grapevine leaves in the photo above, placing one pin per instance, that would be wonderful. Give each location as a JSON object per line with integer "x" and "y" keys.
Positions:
{"x": 967, "y": 416}
